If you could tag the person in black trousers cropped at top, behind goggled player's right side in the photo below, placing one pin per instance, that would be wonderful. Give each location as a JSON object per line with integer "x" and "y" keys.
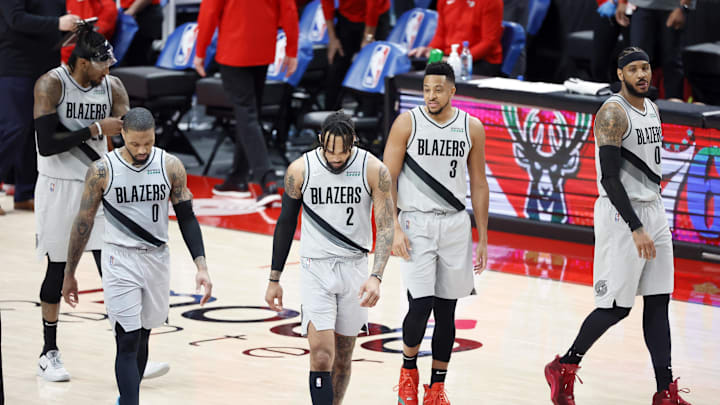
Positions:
{"x": 149, "y": 17}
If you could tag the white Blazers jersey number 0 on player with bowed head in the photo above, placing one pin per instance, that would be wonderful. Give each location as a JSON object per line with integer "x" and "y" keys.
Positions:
{"x": 136, "y": 202}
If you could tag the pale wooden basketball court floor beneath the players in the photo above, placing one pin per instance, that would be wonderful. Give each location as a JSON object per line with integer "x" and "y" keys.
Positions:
{"x": 237, "y": 353}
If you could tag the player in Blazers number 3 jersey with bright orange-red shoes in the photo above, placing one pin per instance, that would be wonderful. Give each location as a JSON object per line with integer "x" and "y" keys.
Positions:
{"x": 429, "y": 151}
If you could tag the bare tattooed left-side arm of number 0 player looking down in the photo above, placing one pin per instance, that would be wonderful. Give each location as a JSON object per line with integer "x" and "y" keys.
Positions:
{"x": 95, "y": 183}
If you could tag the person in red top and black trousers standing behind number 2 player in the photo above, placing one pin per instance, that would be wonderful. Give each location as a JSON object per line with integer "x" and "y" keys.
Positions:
{"x": 359, "y": 22}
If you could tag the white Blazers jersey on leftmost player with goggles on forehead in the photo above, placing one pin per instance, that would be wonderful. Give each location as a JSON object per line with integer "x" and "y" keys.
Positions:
{"x": 78, "y": 108}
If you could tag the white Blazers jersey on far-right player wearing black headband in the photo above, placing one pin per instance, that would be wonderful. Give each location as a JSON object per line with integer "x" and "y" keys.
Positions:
{"x": 641, "y": 169}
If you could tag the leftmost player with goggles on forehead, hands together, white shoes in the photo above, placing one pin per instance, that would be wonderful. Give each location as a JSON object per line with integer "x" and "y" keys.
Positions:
{"x": 77, "y": 109}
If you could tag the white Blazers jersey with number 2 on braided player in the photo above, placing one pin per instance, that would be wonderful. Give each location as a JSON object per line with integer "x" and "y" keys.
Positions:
{"x": 336, "y": 208}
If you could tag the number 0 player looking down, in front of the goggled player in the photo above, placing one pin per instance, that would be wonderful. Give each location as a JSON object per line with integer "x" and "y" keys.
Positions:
{"x": 134, "y": 184}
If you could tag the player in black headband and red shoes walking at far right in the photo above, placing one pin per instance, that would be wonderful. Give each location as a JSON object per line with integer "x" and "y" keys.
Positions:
{"x": 633, "y": 244}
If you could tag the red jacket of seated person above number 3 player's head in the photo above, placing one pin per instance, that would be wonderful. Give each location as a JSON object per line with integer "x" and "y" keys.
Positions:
{"x": 477, "y": 21}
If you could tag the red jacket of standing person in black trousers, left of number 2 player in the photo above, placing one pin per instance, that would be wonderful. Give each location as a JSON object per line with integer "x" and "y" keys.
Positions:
{"x": 247, "y": 30}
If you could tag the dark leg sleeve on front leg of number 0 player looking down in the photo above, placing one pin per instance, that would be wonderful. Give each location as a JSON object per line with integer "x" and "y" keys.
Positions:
{"x": 126, "y": 369}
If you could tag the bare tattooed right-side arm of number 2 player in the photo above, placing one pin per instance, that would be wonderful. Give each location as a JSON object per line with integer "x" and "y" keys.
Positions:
{"x": 381, "y": 184}
